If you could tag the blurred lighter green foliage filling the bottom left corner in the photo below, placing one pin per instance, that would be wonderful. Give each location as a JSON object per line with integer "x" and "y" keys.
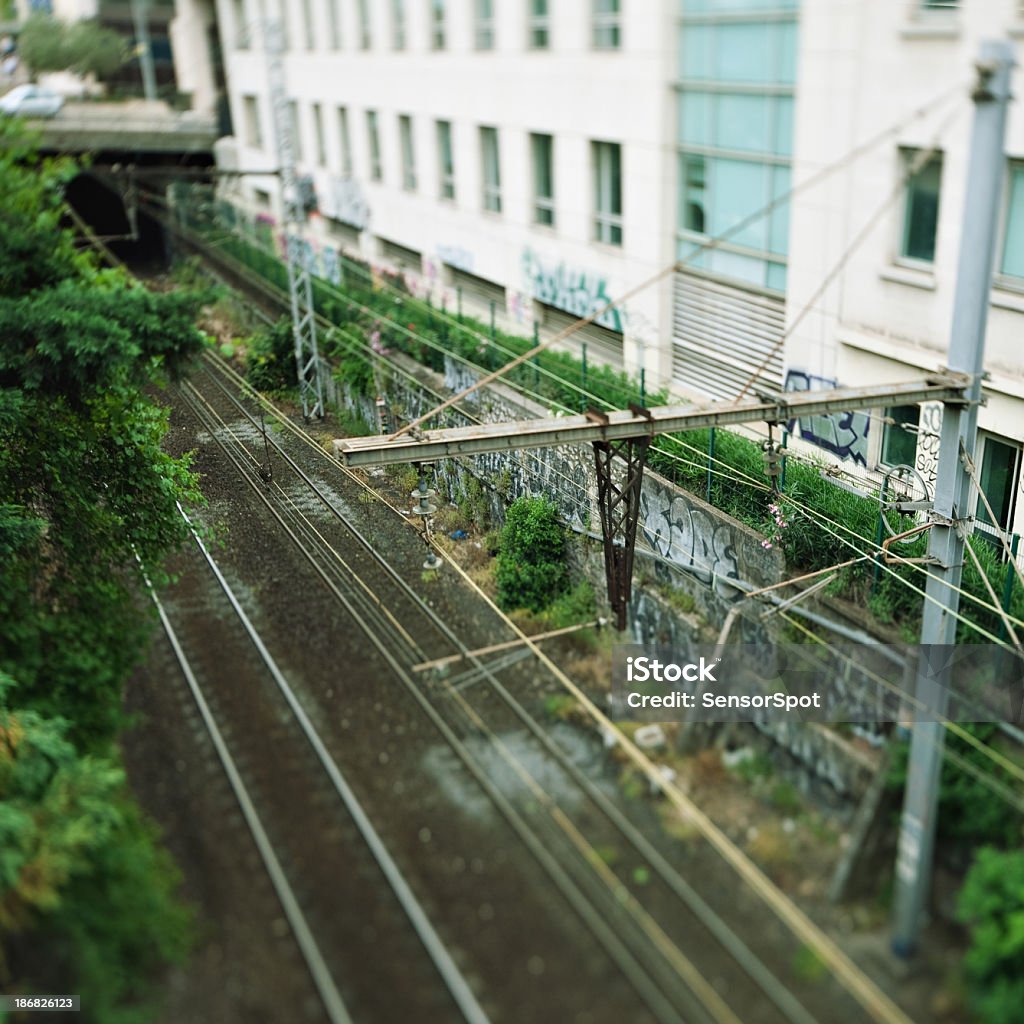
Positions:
{"x": 81, "y": 874}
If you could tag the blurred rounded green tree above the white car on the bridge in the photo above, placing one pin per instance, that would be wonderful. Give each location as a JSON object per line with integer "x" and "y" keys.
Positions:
{"x": 86, "y": 48}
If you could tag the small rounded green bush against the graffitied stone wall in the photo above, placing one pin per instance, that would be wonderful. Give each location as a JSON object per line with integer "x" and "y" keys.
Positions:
{"x": 531, "y": 568}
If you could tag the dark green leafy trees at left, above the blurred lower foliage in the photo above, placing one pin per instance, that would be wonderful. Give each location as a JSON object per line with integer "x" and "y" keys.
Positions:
{"x": 86, "y": 487}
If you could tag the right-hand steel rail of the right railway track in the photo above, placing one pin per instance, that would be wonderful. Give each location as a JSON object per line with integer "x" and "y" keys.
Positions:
{"x": 778, "y": 994}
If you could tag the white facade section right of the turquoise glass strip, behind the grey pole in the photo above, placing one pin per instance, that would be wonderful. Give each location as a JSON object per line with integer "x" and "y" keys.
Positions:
{"x": 865, "y": 68}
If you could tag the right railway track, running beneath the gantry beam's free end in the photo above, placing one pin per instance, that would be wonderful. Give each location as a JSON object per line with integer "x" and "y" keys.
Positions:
{"x": 644, "y": 928}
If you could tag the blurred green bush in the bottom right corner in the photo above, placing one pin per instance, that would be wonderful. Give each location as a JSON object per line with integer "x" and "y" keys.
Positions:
{"x": 992, "y": 905}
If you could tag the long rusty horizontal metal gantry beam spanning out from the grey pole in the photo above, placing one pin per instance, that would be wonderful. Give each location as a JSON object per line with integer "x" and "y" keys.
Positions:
{"x": 432, "y": 446}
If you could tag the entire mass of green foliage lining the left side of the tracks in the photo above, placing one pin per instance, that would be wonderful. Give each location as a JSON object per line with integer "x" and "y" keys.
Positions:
{"x": 87, "y": 894}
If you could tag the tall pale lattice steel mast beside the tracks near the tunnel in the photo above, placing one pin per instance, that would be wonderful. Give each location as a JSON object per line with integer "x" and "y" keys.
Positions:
{"x": 300, "y": 279}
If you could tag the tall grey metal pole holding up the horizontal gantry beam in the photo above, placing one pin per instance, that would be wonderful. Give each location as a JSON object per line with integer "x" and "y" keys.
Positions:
{"x": 953, "y": 486}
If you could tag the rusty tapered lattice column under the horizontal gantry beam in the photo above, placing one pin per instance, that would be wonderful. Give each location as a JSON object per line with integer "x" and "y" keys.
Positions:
{"x": 619, "y": 499}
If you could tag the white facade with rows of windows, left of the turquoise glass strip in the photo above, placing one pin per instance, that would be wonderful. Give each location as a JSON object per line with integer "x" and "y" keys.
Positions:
{"x": 515, "y": 153}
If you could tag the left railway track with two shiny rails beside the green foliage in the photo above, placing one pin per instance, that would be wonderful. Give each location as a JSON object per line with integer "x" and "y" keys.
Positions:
{"x": 290, "y": 834}
